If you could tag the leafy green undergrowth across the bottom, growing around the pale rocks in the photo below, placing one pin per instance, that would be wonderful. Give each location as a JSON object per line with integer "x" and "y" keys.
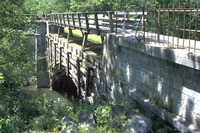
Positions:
{"x": 21, "y": 114}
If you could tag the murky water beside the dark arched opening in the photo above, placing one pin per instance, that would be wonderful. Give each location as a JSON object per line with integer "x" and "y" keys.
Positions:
{"x": 32, "y": 92}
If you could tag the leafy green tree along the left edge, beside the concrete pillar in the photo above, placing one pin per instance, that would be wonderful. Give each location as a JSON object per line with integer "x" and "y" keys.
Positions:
{"x": 16, "y": 61}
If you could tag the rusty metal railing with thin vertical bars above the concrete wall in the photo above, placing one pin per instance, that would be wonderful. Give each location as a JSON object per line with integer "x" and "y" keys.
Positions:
{"x": 174, "y": 27}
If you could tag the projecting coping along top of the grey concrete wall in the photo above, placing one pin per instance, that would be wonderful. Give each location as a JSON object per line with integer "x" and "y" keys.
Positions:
{"x": 178, "y": 56}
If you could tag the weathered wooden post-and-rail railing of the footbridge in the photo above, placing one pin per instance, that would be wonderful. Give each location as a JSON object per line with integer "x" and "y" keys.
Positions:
{"x": 100, "y": 22}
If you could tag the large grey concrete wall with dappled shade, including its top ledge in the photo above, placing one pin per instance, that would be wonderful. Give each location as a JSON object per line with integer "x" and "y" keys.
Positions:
{"x": 172, "y": 76}
